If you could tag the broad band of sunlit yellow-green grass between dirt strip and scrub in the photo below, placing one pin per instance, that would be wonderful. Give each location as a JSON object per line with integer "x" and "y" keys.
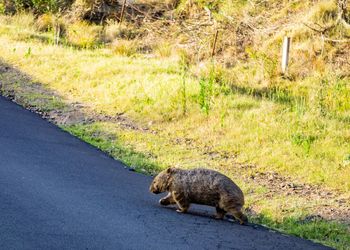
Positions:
{"x": 290, "y": 137}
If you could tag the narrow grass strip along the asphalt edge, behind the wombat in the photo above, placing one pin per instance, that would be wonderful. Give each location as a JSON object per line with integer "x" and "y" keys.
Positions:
{"x": 146, "y": 152}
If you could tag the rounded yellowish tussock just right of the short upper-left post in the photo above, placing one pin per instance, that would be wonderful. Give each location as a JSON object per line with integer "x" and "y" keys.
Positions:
{"x": 83, "y": 35}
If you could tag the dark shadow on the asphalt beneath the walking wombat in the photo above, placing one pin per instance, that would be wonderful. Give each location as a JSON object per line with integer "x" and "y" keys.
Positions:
{"x": 209, "y": 212}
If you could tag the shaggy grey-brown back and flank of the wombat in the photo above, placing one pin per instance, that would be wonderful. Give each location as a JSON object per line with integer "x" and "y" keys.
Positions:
{"x": 204, "y": 186}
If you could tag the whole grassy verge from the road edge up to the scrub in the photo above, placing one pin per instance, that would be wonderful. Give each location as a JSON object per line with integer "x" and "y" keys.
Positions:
{"x": 170, "y": 118}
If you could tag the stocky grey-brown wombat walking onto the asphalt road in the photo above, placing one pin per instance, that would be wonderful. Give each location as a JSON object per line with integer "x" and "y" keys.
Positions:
{"x": 200, "y": 186}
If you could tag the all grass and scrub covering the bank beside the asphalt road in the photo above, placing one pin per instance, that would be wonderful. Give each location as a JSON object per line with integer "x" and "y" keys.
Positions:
{"x": 149, "y": 92}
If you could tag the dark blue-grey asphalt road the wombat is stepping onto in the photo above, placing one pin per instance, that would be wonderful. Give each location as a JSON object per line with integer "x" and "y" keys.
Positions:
{"x": 57, "y": 192}
